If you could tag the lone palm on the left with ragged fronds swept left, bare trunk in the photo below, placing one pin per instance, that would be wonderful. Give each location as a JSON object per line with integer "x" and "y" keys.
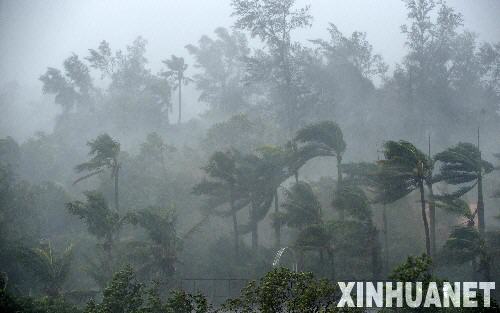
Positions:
{"x": 105, "y": 152}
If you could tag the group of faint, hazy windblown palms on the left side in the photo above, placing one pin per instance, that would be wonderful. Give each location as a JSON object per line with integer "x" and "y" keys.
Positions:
{"x": 157, "y": 256}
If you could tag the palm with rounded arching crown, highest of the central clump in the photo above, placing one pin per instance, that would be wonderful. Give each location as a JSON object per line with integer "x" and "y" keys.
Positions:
{"x": 322, "y": 139}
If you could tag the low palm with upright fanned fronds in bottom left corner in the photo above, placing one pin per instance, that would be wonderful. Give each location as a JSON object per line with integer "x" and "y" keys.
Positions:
{"x": 50, "y": 268}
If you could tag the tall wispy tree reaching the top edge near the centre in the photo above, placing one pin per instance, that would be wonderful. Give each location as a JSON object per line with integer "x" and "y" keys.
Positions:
{"x": 273, "y": 21}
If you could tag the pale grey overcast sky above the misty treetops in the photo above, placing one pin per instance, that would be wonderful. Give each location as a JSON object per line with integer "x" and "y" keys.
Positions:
{"x": 36, "y": 34}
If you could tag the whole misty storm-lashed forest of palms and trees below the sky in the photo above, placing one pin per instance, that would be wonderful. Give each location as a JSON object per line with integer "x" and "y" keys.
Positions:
{"x": 314, "y": 162}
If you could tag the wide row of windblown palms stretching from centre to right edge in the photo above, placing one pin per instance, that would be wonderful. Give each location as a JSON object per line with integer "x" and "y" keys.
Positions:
{"x": 236, "y": 181}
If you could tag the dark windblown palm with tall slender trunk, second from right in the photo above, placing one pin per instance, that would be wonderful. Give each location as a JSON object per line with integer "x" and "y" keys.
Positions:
{"x": 404, "y": 170}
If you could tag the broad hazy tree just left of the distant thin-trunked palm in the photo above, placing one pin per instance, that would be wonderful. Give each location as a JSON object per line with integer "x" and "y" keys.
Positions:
{"x": 134, "y": 96}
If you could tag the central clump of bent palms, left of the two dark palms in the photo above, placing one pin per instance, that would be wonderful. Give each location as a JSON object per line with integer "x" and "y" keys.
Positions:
{"x": 236, "y": 181}
